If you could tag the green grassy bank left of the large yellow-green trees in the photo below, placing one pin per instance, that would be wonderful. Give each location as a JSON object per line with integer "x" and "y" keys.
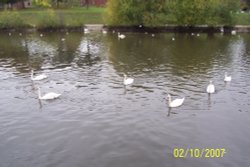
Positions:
{"x": 49, "y": 18}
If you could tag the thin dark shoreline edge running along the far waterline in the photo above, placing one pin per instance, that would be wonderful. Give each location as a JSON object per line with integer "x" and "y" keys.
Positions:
{"x": 142, "y": 29}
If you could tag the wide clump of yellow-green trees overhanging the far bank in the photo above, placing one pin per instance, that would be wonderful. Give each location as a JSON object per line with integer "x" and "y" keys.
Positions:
{"x": 160, "y": 12}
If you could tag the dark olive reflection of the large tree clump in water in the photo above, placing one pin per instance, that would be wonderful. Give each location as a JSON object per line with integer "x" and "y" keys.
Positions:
{"x": 140, "y": 52}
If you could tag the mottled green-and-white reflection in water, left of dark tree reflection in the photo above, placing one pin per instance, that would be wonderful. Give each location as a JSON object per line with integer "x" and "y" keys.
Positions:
{"x": 35, "y": 51}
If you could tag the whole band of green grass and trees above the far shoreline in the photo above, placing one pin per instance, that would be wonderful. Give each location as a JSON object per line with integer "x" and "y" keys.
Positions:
{"x": 64, "y": 13}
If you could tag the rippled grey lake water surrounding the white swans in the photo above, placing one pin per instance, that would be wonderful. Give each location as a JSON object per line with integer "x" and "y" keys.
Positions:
{"x": 98, "y": 123}
